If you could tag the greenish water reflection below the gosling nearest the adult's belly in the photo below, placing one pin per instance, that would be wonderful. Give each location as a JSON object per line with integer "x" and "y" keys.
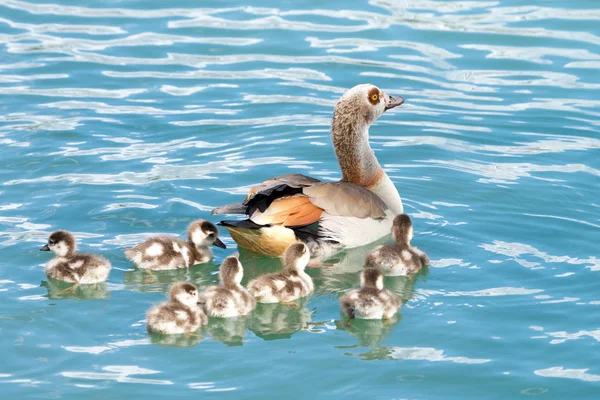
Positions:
{"x": 279, "y": 321}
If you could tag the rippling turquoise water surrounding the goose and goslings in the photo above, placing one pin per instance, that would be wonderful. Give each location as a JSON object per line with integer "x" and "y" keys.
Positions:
{"x": 119, "y": 119}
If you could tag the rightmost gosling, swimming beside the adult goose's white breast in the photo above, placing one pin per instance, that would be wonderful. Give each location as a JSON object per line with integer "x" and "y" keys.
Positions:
{"x": 399, "y": 258}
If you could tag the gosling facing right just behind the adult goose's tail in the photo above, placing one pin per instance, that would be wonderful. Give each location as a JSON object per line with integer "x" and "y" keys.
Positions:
{"x": 166, "y": 252}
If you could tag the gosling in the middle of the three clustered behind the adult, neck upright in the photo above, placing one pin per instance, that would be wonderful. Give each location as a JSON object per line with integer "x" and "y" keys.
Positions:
{"x": 230, "y": 299}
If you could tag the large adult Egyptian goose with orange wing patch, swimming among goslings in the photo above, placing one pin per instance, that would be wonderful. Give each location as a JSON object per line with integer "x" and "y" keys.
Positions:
{"x": 353, "y": 212}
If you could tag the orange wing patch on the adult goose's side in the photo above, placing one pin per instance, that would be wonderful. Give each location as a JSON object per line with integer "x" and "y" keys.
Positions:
{"x": 288, "y": 211}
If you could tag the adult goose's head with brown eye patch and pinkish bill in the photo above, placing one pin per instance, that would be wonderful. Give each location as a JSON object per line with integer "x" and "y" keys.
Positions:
{"x": 364, "y": 103}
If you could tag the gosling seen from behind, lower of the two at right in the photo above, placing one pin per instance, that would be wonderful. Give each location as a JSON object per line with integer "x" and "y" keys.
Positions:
{"x": 371, "y": 301}
